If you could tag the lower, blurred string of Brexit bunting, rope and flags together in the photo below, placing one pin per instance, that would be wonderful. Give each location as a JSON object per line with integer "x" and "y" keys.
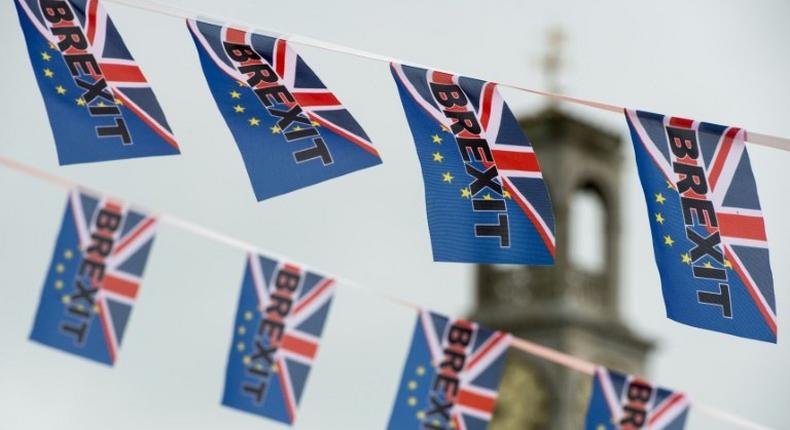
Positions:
{"x": 110, "y": 271}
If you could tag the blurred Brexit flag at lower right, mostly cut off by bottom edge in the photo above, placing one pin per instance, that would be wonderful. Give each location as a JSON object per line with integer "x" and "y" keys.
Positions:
{"x": 623, "y": 402}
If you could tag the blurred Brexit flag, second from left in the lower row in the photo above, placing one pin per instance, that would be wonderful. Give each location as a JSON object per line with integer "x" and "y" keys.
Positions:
{"x": 279, "y": 321}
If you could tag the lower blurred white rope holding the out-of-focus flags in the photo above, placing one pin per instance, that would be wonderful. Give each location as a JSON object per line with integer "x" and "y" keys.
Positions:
{"x": 546, "y": 353}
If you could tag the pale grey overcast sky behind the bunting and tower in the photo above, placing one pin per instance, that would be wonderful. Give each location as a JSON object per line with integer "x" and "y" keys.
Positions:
{"x": 724, "y": 62}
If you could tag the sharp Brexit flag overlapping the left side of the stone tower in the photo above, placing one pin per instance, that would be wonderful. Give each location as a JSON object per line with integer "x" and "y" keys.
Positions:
{"x": 484, "y": 191}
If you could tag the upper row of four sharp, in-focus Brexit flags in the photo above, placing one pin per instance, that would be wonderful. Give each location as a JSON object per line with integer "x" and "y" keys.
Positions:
{"x": 485, "y": 196}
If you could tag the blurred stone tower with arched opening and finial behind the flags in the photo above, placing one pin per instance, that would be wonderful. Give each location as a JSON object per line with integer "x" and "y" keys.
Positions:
{"x": 572, "y": 306}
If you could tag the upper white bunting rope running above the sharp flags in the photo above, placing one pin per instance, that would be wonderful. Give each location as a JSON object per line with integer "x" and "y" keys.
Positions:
{"x": 751, "y": 137}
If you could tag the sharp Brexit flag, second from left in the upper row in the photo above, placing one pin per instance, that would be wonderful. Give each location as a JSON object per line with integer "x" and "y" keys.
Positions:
{"x": 291, "y": 130}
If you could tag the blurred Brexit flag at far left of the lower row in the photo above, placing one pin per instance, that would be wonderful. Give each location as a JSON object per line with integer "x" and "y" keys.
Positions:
{"x": 94, "y": 277}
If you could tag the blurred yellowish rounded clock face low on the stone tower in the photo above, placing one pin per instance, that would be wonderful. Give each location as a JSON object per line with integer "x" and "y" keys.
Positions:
{"x": 523, "y": 402}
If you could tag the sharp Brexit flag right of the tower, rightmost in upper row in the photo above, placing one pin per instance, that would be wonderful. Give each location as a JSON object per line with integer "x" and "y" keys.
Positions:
{"x": 708, "y": 230}
